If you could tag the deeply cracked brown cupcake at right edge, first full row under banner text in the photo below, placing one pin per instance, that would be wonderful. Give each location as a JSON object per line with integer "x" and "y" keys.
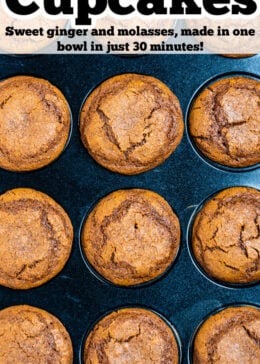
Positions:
{"x": 224, "y": 122}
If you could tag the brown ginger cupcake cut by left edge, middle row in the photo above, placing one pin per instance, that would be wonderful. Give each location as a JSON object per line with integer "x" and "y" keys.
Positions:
{"x": 35, "y": 238}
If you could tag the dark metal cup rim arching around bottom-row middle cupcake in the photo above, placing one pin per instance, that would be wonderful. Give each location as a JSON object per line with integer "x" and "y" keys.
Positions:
{"x": 167, "y": 322}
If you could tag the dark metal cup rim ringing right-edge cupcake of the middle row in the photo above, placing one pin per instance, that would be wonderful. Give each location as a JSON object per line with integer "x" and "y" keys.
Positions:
{"x": 193, "y": 258}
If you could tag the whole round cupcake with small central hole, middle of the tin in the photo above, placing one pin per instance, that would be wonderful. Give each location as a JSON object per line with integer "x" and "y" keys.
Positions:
{"x": 131, "y": 236}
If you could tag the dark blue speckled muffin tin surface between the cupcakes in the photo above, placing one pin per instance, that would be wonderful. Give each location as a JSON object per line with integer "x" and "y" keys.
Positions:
{"x": 183, "y": 296}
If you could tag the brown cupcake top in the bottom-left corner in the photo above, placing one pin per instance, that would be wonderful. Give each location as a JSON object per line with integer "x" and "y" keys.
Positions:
{"x": 30, "y": 335}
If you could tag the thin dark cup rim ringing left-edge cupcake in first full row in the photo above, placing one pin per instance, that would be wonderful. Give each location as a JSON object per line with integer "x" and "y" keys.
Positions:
{"x": 70, "y": 128}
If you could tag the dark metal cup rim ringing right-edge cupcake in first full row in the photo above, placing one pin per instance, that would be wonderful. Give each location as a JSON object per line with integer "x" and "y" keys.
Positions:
{"x": 196, "y": 150}
